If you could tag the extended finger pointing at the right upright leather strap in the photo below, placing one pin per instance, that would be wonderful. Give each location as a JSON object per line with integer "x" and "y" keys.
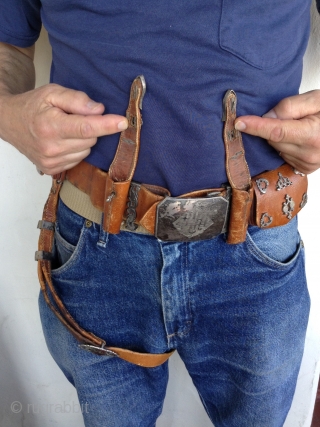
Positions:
{"x": 280, "y": 131}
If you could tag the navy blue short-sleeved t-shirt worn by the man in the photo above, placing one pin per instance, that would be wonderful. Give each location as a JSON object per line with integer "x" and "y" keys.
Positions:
{"x": 190, "y": 53}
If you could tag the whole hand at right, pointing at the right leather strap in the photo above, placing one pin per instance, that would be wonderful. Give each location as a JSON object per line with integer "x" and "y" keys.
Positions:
{"x": 292, "y": 128}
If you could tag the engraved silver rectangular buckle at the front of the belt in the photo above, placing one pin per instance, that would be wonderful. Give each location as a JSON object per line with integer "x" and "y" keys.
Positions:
{"x": 188, "y": 220}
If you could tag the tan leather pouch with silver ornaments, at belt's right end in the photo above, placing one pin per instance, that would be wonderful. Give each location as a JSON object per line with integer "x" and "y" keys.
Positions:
{"x": 278, "y": 196}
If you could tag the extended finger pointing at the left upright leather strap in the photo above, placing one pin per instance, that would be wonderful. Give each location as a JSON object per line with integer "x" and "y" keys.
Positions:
{"x": 72, "y": 126}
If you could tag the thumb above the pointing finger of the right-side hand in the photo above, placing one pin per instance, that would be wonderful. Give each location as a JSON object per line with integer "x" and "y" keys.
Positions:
{"x": 296, "y": 107}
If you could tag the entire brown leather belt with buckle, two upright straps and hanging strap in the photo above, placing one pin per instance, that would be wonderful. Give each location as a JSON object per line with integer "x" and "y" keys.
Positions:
{"x": 269, "y": 199}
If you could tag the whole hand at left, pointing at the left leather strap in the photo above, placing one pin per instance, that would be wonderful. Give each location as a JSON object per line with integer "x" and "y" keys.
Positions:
{"x": 55, "y": 127}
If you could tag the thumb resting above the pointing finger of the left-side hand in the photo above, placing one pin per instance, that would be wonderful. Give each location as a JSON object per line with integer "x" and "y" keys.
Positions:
{"x": 72, "y": 101}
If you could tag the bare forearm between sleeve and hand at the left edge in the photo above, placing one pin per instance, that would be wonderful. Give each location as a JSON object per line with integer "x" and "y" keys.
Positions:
{"x": 17, "y": 73}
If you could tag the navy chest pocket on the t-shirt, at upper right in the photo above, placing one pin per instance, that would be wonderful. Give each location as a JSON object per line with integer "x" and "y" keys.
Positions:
{"x": 264, "y": 33}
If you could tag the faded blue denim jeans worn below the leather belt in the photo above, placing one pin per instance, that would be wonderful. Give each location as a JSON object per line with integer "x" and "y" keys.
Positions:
{"x": 237, "y": 315}
